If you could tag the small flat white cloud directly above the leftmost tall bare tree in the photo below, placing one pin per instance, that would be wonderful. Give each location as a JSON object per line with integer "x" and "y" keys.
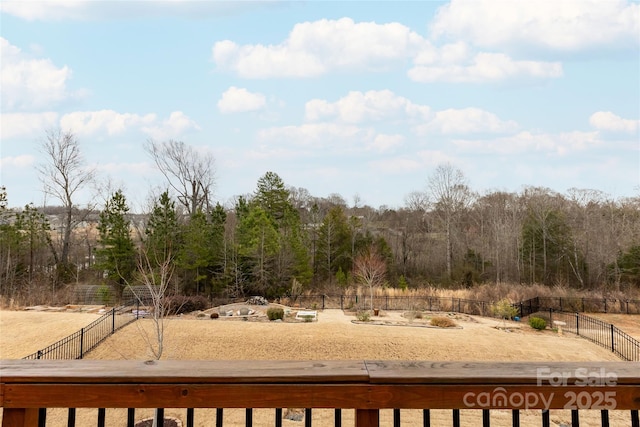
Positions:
{"x": 109, "y": 121}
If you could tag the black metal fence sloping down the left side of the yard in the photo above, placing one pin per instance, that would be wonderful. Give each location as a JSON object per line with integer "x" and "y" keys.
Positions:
{"x": 76, "y": 345}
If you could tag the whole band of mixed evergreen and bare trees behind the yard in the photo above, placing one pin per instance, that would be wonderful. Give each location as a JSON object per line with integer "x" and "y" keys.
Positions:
{"x": 280, "y": 239}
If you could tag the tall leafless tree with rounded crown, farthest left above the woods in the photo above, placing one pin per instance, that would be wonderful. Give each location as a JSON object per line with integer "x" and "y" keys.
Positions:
{"x": 64, "y": 175}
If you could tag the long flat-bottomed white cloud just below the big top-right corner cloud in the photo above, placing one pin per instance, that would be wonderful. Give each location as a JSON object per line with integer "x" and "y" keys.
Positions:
{"x": 484, "y": 67}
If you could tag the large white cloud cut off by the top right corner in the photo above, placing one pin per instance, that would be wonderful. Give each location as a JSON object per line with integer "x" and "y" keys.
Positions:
{"x": 573, "y": 25}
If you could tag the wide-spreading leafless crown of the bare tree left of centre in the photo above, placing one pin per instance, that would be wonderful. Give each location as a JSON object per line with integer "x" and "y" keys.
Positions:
{"x": 189, "y": 172}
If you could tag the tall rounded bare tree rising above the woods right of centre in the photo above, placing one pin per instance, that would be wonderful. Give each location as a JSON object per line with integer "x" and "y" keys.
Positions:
{"x": 451, "y": 194}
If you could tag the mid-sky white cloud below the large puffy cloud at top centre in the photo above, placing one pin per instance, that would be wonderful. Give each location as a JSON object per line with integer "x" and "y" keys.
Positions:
{"x": 357, "y": 107}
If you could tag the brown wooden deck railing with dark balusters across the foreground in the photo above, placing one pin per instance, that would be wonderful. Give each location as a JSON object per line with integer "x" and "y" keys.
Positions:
{"x": 28, "y": 386}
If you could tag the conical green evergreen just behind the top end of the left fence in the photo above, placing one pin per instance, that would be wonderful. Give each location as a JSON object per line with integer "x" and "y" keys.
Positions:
{"x": 116, "y": 255}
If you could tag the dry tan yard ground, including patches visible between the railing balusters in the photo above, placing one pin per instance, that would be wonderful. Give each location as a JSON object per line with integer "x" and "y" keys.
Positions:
{"x": 333, "y": 336}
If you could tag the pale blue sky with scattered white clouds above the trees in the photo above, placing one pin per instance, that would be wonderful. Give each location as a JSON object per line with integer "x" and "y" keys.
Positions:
{"x": 363, "y": 99}
